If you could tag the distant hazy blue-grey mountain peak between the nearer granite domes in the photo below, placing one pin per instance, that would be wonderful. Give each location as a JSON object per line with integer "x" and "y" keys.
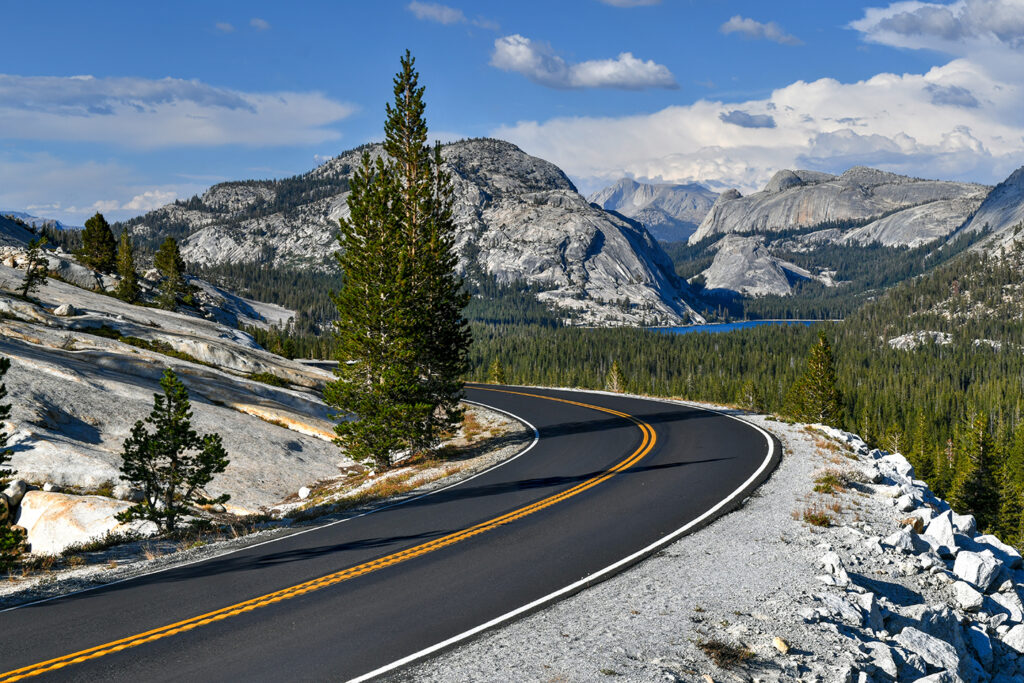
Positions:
{"x": 670, "y": 212}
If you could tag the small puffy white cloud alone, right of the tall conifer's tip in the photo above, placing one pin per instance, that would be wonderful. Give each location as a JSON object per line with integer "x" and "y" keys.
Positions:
{"x": 540, "y": 64}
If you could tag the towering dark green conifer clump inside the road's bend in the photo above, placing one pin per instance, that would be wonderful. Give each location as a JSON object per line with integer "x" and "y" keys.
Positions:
{"x": 401, "y": 338}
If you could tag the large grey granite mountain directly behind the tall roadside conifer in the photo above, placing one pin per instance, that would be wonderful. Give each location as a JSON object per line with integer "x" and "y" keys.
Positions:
{"x": 521, "y": 223}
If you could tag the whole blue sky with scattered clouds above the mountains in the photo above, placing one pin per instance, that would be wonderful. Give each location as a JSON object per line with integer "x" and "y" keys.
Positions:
{"x": 122, "y": 107}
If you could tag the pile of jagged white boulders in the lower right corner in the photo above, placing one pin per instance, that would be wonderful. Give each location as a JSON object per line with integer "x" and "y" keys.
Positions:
{"x": 975, "y": 634}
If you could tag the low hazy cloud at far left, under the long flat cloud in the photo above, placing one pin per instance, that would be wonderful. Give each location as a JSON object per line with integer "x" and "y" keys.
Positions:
{"x": 73, "y": 192}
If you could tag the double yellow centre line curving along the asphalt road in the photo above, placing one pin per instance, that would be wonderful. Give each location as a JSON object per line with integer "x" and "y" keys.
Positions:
{"x": 345, "y": 575}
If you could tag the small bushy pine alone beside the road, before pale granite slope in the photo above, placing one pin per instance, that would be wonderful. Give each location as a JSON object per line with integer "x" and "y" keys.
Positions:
{"x": 173, "y": 464}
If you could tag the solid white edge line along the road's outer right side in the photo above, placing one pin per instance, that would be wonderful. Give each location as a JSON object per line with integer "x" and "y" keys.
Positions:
{"x": 551, "y": 597}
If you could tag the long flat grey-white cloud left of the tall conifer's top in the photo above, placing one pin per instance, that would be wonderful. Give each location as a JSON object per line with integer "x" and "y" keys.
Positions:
{"x": 146, "y": 114}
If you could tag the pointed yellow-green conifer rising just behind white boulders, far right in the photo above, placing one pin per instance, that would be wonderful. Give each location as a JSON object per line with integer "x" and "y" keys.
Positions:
{"x": 974, "y": 489}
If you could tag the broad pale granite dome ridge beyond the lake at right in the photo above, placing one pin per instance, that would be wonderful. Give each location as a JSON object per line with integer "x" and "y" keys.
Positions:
{"x": 867, "y": 204}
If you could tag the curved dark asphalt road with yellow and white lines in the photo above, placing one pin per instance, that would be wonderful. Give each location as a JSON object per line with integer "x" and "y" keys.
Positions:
{"x": 609, "y": 481}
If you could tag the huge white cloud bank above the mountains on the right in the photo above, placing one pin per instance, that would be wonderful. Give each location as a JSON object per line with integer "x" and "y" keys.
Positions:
{"x": 891, "y": 121}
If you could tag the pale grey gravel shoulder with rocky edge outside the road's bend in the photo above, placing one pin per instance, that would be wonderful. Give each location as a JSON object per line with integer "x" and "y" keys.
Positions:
{"x": 838, "y": 600}
